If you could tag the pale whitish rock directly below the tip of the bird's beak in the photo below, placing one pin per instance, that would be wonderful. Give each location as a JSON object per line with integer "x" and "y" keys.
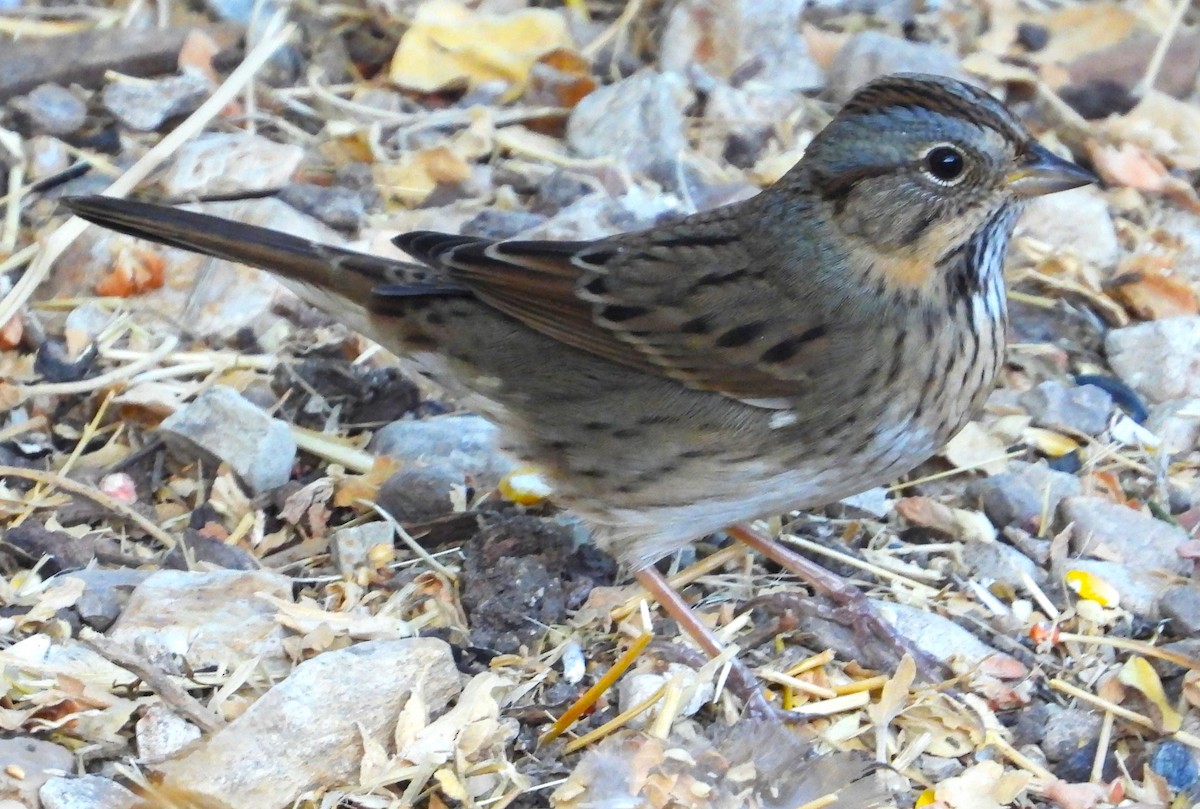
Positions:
{"x": 1077, "y": 221}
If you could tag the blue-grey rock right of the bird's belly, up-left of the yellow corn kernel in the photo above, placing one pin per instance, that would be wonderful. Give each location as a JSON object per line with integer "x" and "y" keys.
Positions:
{"x": 1021, "y": 496}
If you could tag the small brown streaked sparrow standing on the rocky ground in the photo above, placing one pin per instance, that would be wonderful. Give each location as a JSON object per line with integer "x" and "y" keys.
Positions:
{"x": 781, "y": 353}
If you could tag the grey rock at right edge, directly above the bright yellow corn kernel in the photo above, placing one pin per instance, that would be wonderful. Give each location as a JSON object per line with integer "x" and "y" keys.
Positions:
{"x": 1107, "y": 531}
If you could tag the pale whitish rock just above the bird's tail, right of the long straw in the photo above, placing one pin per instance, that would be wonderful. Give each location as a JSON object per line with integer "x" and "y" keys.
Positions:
{"x": 221, "y": 165}
